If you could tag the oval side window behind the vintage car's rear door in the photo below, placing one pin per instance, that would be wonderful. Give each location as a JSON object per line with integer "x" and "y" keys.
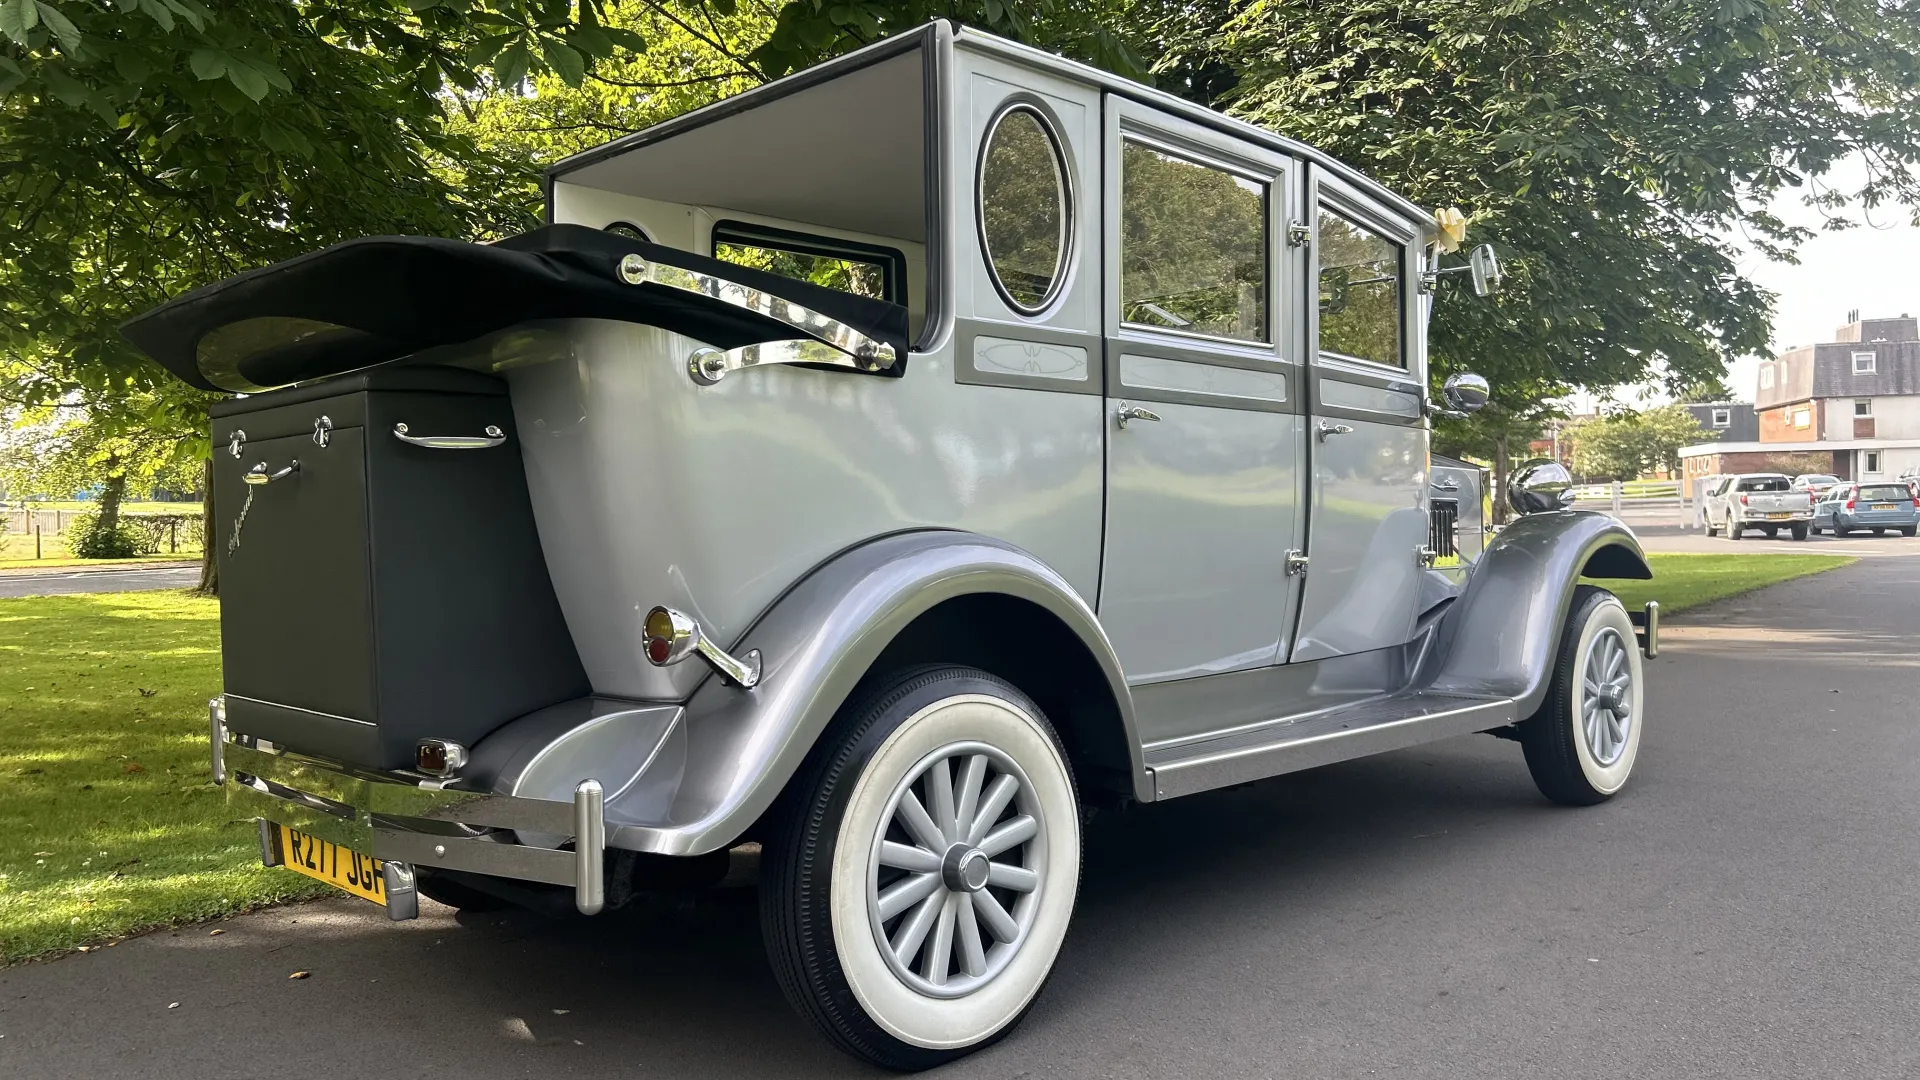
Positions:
{"x": 1024, "y": 209}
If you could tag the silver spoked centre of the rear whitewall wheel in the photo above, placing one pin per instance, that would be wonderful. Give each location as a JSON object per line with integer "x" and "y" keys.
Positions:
{"x": 957, "y": 870}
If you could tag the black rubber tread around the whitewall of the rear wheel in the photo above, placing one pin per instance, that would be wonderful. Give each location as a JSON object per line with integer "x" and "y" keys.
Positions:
{"x": 798, "y": 858}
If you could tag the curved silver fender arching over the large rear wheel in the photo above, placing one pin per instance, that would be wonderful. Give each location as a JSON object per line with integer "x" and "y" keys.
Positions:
{"x": 817, "y": 643}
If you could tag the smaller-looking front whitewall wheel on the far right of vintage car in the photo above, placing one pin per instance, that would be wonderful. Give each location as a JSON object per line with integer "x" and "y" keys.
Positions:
{"x": 1583, "y": 741}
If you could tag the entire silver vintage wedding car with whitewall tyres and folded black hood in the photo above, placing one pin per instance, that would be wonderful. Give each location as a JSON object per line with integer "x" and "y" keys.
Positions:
{"x": 880, "y": 466}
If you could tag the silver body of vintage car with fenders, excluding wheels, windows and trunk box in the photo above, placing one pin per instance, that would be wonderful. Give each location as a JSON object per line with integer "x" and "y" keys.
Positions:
{"x": 1237, "y": 583}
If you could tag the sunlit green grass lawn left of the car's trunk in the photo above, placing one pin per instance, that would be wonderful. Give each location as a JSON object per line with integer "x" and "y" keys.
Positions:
{"x": 108, "y": 820}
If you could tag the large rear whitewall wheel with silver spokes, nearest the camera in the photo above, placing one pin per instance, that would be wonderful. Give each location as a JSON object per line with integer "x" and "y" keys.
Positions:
{"x": 923, "y": 873}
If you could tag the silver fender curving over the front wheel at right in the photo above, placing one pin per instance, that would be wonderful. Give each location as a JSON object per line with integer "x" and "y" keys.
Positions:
{"x": 1500, "y": 637}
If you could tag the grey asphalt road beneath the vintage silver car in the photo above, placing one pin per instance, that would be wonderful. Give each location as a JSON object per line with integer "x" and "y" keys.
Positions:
{"x": 1748, "y": 908}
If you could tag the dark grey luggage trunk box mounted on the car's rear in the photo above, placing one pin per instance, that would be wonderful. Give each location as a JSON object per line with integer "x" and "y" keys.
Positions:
{"x": 381, "y": 591}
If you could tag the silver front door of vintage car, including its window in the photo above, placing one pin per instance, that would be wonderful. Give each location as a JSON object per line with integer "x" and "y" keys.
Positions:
{"x": 1368, "y": 520}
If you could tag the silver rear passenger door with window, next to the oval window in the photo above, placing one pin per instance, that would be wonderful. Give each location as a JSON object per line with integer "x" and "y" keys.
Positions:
{"x": 1205, "y": 418}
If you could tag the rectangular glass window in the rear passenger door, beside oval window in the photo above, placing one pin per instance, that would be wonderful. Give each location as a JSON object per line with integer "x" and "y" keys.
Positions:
{"x": 1193, "y": 247}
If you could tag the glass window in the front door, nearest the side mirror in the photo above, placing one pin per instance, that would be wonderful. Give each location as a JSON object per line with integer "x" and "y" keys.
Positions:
{"x": 1360, "y": 291}
